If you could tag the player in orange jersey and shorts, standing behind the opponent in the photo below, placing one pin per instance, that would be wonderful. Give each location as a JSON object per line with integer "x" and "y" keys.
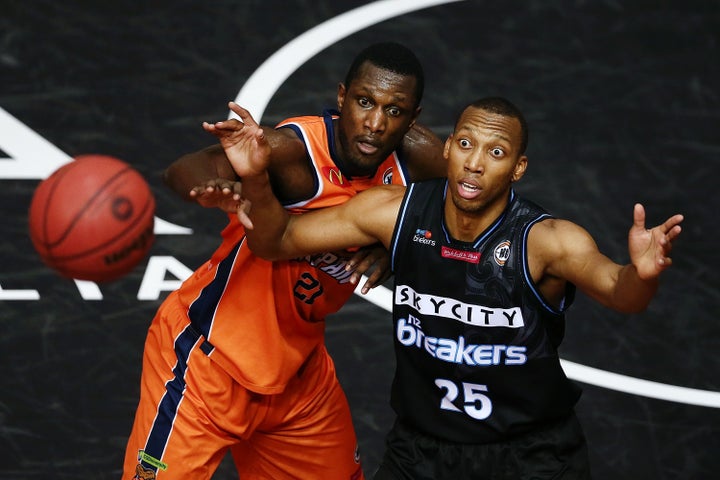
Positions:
{"x": 235, "y": 358}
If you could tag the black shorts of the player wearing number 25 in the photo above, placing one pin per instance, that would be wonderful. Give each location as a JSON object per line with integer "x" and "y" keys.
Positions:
{"x": 557, "y": 451}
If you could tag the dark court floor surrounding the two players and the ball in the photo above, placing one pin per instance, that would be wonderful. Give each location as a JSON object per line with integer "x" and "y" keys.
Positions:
{"x": 623, "y": 104}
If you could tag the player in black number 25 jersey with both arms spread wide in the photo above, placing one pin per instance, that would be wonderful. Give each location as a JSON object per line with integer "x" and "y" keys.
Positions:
{"x": 482, "y": 281}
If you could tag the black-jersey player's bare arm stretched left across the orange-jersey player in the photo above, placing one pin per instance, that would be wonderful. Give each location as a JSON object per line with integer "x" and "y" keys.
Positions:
{"x": 274, "y": 234}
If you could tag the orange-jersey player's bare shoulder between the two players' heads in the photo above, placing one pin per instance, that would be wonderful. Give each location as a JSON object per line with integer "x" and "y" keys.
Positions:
{"x": 424, "y": 152}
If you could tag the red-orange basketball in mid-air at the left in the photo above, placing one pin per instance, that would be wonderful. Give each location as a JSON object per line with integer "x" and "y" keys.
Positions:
{"x": 93, "y": 219}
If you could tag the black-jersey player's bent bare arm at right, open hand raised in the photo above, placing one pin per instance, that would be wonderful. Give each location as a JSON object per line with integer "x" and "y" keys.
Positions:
{"x": 562, "y": 250}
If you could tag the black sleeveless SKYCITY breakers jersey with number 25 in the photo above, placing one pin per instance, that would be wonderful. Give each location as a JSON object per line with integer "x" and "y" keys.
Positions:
{"x": 475, "y": 343}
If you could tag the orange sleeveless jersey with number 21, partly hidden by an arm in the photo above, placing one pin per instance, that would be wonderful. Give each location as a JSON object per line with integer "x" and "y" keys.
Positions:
{"x": 262, "y": 319}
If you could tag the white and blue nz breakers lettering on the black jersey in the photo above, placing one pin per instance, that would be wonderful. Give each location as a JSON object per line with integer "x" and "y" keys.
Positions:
{"x": 410, "y": 334}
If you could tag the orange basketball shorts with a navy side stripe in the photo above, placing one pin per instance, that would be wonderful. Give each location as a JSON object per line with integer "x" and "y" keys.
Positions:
{"x": 191, "y": 413}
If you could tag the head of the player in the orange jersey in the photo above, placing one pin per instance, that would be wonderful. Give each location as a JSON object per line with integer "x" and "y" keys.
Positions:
{"x": 378, "y": 102}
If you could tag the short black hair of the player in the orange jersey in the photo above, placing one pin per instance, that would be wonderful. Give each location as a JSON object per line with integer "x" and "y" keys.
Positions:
{"x": 390, "y": 56}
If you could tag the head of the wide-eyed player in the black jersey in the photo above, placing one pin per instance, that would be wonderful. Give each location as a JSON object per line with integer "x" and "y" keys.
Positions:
{"x": 486, "y": 154}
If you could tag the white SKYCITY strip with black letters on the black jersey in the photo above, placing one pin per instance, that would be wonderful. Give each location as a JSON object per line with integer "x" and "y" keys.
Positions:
{"x": 469, "y": 313}
